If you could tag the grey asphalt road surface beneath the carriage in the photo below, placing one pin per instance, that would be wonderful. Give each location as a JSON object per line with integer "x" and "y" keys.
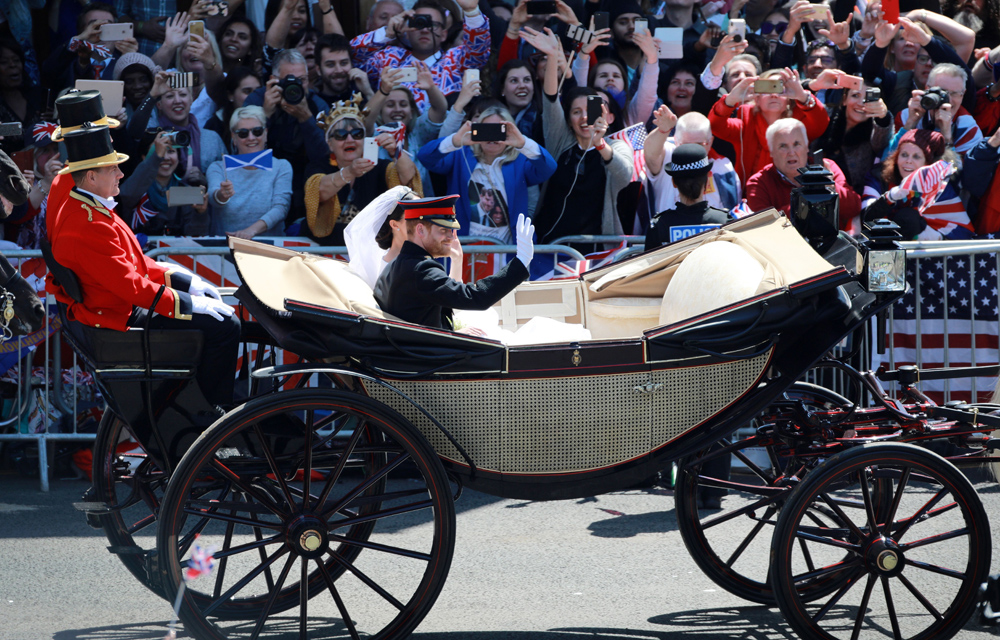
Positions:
{"x": 606, "y": 568}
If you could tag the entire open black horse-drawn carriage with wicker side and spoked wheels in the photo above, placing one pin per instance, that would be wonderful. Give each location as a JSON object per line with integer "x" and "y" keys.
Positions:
{"x": 331, "y": 503}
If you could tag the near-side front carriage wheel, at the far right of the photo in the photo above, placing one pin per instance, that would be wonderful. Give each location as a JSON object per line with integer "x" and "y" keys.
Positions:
{"x": 910, "y": 569}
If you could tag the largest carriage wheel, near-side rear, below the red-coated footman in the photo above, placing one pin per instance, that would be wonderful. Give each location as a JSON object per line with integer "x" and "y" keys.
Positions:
{"x": 320, "y": 494}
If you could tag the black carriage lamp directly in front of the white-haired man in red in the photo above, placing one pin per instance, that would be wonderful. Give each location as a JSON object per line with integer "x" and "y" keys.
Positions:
{"x": 815, "y": 209}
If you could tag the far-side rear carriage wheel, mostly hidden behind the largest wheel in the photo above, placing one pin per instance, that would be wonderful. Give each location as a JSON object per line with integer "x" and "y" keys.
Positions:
{"x": 125, "y": 477}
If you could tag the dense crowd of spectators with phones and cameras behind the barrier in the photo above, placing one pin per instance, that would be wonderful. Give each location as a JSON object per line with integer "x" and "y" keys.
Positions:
{"x": 809, "y": 83}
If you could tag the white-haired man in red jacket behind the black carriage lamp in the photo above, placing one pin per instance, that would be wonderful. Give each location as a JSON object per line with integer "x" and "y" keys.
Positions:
{"x": 772, "y": 186}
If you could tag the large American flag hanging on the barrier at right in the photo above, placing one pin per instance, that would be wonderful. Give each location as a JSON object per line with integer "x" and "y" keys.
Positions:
{"x": 957, "y": 305}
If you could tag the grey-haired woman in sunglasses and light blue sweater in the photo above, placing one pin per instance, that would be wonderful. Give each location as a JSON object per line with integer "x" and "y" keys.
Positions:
{"x": 248, "y": 201}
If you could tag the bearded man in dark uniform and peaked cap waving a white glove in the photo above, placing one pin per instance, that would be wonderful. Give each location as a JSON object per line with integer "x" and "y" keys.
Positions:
{"x": 417, "y": 289}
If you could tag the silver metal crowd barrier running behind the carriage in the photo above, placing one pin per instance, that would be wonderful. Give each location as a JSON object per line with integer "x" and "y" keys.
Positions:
{"x": 49, "y": 387}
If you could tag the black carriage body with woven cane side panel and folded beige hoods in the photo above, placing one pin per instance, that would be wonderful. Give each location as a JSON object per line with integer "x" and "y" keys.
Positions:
{"x": 567, "y": 420}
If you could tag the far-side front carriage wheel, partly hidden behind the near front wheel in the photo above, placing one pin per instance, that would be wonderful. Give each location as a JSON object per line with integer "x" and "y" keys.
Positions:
{"x": 727, "y": 543}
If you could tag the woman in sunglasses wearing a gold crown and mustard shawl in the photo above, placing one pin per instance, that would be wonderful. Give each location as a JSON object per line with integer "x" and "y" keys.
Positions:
{"x": 341, "y": 186}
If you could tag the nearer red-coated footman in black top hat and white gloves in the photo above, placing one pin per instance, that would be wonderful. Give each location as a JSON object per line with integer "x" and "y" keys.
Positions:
{"x": 98, "y": 270}
